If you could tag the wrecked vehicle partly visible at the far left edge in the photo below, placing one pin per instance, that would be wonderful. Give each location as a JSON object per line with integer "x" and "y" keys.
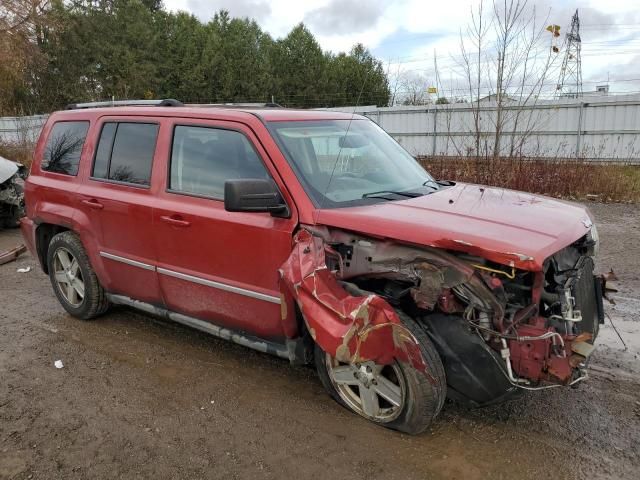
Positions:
{"x": 12, "y": 177}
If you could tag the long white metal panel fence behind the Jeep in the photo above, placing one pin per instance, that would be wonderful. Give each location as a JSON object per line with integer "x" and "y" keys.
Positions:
{"x": 597, "y": 128}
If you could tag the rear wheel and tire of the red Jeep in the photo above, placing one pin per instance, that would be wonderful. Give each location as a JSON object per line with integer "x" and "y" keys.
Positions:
{"x": 73, "y": 279}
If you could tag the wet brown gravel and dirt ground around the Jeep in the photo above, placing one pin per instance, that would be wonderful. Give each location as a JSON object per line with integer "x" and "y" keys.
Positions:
{"x": 139, "y": 397}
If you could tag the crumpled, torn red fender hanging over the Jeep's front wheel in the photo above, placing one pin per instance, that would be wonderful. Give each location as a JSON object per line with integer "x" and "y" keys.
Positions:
{"x": 350, "y": 328}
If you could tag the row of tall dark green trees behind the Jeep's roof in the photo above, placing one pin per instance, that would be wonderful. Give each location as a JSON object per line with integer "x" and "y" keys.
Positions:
{"x": 90, "y": 50}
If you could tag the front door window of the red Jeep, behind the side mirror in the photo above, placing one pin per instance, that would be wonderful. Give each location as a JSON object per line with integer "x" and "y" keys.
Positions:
{"x": 204, "y": 158}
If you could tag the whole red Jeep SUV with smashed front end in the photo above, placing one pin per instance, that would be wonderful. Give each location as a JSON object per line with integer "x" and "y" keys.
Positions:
{"x": 316, "y": 237}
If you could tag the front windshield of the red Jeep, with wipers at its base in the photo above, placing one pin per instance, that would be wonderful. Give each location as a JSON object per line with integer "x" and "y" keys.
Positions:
{"x": 345, "y": 163}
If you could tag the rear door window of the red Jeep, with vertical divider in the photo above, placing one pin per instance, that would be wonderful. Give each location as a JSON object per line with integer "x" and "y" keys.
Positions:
{"x": 125, "y": 152}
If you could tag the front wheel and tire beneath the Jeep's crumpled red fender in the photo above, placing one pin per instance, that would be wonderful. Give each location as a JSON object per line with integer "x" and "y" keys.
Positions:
{"x": 396, "y": 396}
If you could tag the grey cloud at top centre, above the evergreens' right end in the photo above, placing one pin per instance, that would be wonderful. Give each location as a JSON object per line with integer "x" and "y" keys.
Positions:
{"x": 345, "y": 16}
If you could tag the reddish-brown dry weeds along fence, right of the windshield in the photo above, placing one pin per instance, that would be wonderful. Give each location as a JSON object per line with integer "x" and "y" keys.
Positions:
{"x": 568, "y": 179}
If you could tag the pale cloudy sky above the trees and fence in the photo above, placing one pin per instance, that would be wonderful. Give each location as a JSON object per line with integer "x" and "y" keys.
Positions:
{"x": 404, "y": 33}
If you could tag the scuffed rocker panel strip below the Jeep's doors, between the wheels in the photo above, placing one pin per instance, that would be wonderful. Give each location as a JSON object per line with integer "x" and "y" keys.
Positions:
{"x": 289, "y": 351}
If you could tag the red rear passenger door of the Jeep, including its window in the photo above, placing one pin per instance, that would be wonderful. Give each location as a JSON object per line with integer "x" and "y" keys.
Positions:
{"x": 117, "y": 199}
